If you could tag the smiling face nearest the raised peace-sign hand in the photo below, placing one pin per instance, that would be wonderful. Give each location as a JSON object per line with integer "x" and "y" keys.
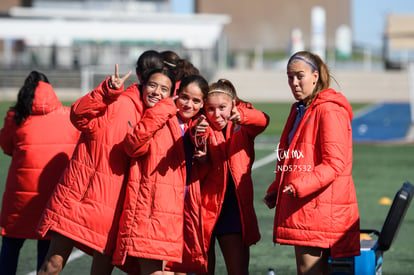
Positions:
{"x": 157, "y": 87}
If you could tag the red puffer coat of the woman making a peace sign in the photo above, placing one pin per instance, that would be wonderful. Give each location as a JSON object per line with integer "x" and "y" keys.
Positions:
{"x": 87, "y": 200}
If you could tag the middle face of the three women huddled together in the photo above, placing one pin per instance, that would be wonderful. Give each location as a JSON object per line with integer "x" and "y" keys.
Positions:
{"x": 189, "y": 101}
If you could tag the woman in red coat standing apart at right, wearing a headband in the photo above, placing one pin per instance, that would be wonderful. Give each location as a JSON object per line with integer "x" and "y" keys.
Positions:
{"x": 314, "y": 194}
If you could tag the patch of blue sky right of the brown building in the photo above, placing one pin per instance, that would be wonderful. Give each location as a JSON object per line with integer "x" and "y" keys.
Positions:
{"x": 369, "y": 19}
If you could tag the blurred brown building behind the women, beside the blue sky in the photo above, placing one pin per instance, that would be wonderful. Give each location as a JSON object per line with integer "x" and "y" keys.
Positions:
{"x": 269, "y": 23}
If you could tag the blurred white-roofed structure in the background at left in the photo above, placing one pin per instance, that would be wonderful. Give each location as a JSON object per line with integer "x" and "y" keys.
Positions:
{"x": 92, "y": 36}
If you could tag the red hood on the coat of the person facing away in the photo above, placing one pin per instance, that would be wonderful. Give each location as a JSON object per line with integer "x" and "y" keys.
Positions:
{"x": 45, "y": 99}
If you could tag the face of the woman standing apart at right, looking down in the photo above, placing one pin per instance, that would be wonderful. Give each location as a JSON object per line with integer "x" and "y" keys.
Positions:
{"x": 302, "y": 80}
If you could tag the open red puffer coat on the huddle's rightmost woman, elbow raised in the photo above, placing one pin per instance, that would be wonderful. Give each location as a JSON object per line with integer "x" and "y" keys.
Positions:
{"x": 234, "y": 153}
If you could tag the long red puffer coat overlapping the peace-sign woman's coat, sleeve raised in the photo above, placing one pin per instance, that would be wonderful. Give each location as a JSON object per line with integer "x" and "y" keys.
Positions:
{"x": 151, "y": 225}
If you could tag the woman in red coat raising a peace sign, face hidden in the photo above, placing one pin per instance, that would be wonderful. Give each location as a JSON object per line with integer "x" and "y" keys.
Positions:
{"x": 85, "y": 208}
